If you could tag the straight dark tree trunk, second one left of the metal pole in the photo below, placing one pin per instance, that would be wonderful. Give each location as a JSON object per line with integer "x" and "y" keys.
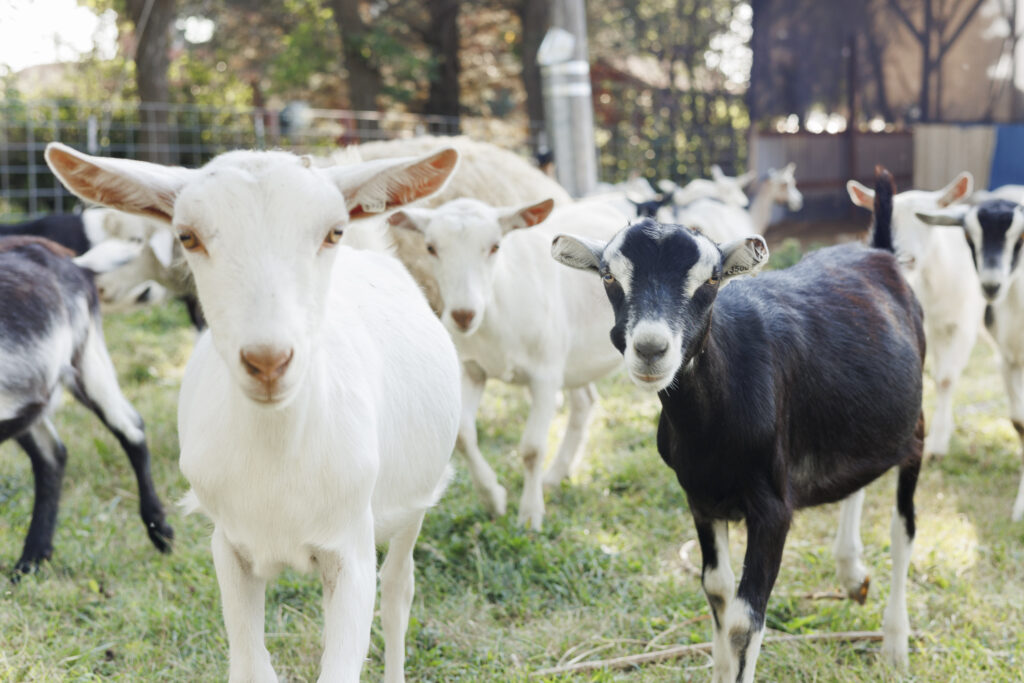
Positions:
{"x": 443, "y": 38}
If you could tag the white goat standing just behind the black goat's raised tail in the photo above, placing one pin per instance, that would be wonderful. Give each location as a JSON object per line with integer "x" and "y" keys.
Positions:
{"x": 938, "y": 266}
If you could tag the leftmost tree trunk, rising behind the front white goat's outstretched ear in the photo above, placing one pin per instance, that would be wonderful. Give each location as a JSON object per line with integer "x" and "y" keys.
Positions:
{"x": 153, "y": 20}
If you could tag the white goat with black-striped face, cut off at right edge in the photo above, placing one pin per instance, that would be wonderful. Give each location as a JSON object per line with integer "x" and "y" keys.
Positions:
{"x": 995, "y": 233}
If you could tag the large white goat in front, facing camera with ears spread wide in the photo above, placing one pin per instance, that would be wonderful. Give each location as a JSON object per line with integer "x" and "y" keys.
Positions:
{"x": 319, "y": 413}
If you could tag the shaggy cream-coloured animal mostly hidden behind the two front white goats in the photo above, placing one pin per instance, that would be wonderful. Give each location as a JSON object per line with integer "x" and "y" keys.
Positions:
{"x": 486, "y": 173}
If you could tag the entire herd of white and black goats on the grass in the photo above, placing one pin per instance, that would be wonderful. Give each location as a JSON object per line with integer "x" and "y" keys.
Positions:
{"x": 319, "y": 413}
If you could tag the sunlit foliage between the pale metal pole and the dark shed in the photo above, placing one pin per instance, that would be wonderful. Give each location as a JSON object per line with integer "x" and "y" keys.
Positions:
{"x": 666, "y": 106}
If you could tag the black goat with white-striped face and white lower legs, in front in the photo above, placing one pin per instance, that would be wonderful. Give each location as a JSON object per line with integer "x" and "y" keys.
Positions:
{"x": 791, "y": 391}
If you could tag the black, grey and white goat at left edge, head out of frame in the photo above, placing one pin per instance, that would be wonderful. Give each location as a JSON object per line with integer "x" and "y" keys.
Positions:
{"x": 52, "y": 336}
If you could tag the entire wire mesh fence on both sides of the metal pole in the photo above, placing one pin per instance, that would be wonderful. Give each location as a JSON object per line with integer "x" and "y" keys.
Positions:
{"x": 636, "y": 133}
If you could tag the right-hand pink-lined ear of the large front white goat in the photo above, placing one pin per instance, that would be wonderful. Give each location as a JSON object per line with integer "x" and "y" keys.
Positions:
{"x": 375, "y": 187}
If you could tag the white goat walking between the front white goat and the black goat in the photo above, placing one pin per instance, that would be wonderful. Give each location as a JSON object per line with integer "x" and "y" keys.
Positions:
{"x": 518, "y": 316}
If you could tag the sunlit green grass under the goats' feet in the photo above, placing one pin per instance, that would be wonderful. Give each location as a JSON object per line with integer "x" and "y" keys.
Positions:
{"x": 495, "y": 603}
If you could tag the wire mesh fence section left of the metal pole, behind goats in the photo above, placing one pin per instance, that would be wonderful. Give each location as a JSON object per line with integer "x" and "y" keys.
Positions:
{"x": 191, "y": 136}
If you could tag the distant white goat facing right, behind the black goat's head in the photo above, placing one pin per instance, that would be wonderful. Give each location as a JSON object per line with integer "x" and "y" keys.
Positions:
{"x": 724, "y": 223}
